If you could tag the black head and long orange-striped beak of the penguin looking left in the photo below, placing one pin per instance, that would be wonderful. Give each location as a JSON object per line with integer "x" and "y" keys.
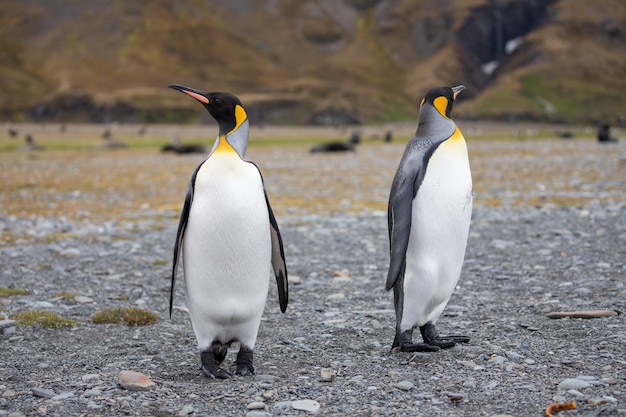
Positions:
{"x": 225, "y": 108}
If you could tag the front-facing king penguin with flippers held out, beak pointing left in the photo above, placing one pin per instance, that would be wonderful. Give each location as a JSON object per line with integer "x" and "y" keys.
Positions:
{"x": 229, "y": 241}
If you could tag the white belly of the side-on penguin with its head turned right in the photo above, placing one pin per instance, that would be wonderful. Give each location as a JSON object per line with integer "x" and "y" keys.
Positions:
{"x": 440, "y": 223}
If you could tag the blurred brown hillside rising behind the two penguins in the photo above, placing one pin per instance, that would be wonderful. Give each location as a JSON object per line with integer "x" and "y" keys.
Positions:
{"x": 312, "y": 61}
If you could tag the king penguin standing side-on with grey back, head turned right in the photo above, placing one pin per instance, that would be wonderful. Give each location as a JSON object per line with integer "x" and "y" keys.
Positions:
{"x": 429, "y": 213}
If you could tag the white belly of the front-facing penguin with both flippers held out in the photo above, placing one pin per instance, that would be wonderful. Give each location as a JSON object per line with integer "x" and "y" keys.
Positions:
{"x": 227, "y": 252}
